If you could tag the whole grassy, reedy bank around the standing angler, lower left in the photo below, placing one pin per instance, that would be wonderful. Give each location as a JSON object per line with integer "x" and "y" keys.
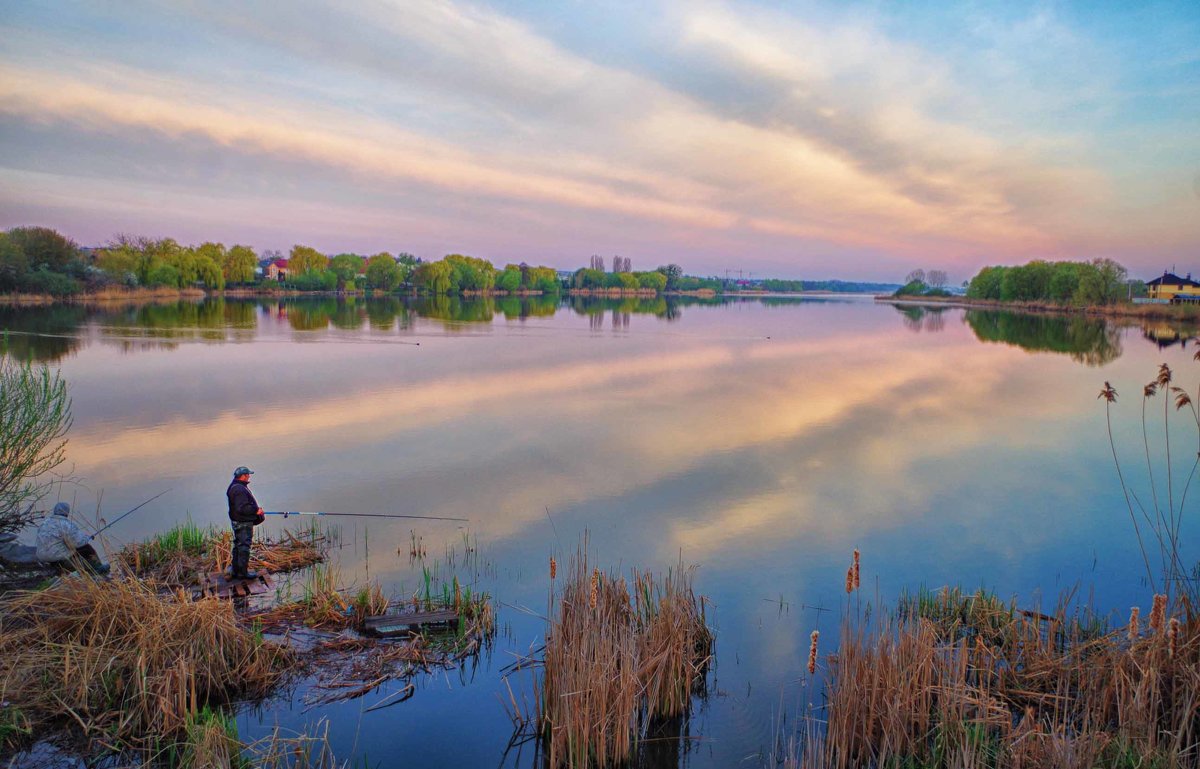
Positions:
{"x": 141, "y": 689}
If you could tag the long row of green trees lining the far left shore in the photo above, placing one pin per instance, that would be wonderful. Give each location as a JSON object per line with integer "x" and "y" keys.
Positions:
{"x": 40, "y": 266}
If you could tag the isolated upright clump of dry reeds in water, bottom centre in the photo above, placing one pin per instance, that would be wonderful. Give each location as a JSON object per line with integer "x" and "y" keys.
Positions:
{"x": 619, "y": 660}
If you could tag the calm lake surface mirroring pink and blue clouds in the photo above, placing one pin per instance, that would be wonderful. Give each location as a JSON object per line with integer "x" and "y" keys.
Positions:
{"x": 760, "y": 440}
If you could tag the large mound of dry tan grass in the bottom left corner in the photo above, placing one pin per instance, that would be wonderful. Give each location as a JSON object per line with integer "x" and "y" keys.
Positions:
{"x": 124, "y": 663}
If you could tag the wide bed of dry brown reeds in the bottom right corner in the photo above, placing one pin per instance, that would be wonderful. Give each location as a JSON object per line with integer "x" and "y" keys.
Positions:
{"x": 1049, "y": 693}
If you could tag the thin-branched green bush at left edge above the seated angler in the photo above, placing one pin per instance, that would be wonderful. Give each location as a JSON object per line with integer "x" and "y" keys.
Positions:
{"x": 35, "y": 416}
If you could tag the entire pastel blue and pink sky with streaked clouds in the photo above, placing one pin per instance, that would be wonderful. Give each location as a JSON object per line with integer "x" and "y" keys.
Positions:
{"x": 788, "y": 140}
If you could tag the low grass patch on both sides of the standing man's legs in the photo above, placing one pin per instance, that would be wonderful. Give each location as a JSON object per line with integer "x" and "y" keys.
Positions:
{"x": 185, "y": 554}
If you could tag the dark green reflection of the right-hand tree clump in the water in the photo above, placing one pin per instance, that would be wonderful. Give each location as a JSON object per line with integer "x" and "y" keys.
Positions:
{"x": 1090, "y": 341}
